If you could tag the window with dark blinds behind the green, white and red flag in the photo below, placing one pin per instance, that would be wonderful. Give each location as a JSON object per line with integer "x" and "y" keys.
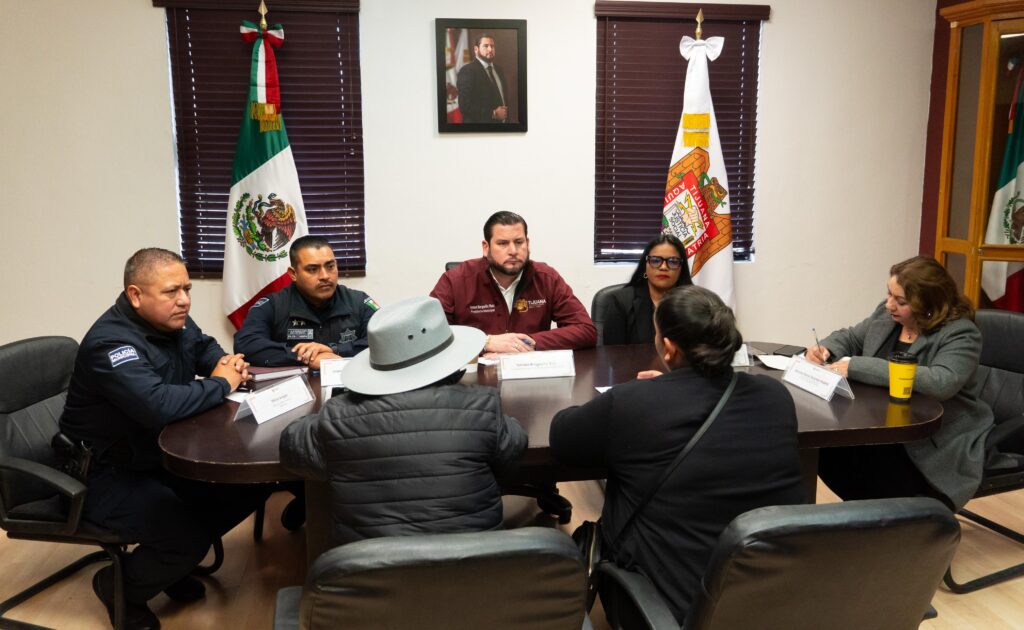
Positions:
{"x": 321, "y": 105}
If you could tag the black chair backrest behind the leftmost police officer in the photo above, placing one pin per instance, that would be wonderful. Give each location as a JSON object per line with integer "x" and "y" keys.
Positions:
{"x": 34, "y": 379}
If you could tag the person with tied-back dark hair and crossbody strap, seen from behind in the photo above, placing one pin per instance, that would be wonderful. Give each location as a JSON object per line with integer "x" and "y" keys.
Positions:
{"x": 748, "y": 458}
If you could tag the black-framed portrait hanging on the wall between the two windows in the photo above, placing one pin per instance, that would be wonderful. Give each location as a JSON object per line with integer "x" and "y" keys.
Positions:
{"x": 454, "y": 51}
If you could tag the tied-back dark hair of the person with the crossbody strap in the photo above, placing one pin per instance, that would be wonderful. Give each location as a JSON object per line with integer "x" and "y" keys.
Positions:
{"x": 705, "y": 329}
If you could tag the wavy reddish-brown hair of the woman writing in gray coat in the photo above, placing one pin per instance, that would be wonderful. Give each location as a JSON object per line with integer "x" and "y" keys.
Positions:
{"x": 932, "y": 293}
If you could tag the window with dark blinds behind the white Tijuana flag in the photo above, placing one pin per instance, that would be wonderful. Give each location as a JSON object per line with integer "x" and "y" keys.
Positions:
{"x": 641, "y": 78}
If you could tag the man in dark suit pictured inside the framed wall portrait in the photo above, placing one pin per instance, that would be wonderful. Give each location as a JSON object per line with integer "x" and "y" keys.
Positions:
{"x": 482, "y": 86}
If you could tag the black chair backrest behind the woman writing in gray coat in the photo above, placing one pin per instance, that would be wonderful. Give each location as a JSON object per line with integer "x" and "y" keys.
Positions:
{"x": 1002, "y": 376}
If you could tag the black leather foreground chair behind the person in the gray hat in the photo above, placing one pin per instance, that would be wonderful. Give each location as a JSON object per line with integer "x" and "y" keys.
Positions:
{"x": 526, "y": 579}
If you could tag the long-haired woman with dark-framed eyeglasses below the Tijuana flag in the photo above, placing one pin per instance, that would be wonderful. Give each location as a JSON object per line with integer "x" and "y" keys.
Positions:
{"x": 631, "y": 310}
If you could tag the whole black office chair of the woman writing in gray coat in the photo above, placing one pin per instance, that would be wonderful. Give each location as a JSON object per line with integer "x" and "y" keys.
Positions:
{"x": 1002, "y": 375}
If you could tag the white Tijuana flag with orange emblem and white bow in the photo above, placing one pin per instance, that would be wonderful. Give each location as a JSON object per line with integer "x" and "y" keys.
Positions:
{"x": 696, "y": 207}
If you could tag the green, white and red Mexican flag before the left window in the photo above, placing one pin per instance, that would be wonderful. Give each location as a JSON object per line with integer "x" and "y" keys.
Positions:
{"x": 265, "y": 208}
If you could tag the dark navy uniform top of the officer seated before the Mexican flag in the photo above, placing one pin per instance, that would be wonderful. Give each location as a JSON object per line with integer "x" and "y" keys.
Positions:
{"x": 278, "y": 322}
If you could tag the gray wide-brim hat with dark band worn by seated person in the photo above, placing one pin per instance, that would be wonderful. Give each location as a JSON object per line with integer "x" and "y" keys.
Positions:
{"x": 411, "y": 346}
